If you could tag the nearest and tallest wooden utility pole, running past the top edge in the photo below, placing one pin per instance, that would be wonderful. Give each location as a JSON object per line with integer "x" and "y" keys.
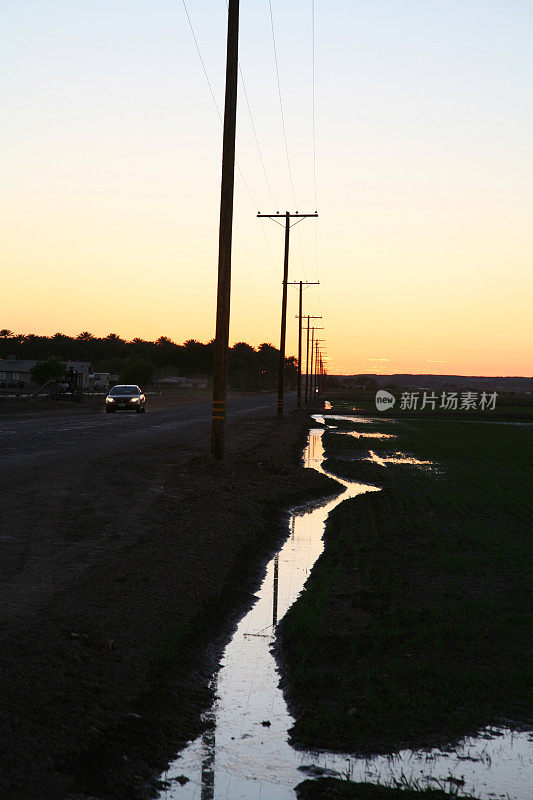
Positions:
{"x": 220, "y": 376}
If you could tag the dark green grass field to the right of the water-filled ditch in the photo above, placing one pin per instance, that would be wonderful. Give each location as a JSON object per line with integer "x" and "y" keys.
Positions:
{"x": 414, "y": 627}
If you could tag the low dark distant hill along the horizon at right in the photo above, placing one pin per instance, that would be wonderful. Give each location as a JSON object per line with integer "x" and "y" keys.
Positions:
{"x": 404, "y": 380}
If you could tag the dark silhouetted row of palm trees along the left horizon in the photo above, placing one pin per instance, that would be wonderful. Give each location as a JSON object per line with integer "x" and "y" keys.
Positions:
{"x": 139, "y": 360}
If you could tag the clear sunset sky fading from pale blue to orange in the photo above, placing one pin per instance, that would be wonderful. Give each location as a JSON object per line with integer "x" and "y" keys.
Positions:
{"x": 110, "y": 182}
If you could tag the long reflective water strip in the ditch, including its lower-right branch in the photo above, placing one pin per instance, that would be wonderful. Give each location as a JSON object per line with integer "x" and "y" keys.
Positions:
{"x": 244, "y": 753}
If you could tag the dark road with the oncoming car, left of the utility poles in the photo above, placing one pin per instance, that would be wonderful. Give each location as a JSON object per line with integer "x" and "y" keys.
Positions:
{"x": 60, "y": 469}
